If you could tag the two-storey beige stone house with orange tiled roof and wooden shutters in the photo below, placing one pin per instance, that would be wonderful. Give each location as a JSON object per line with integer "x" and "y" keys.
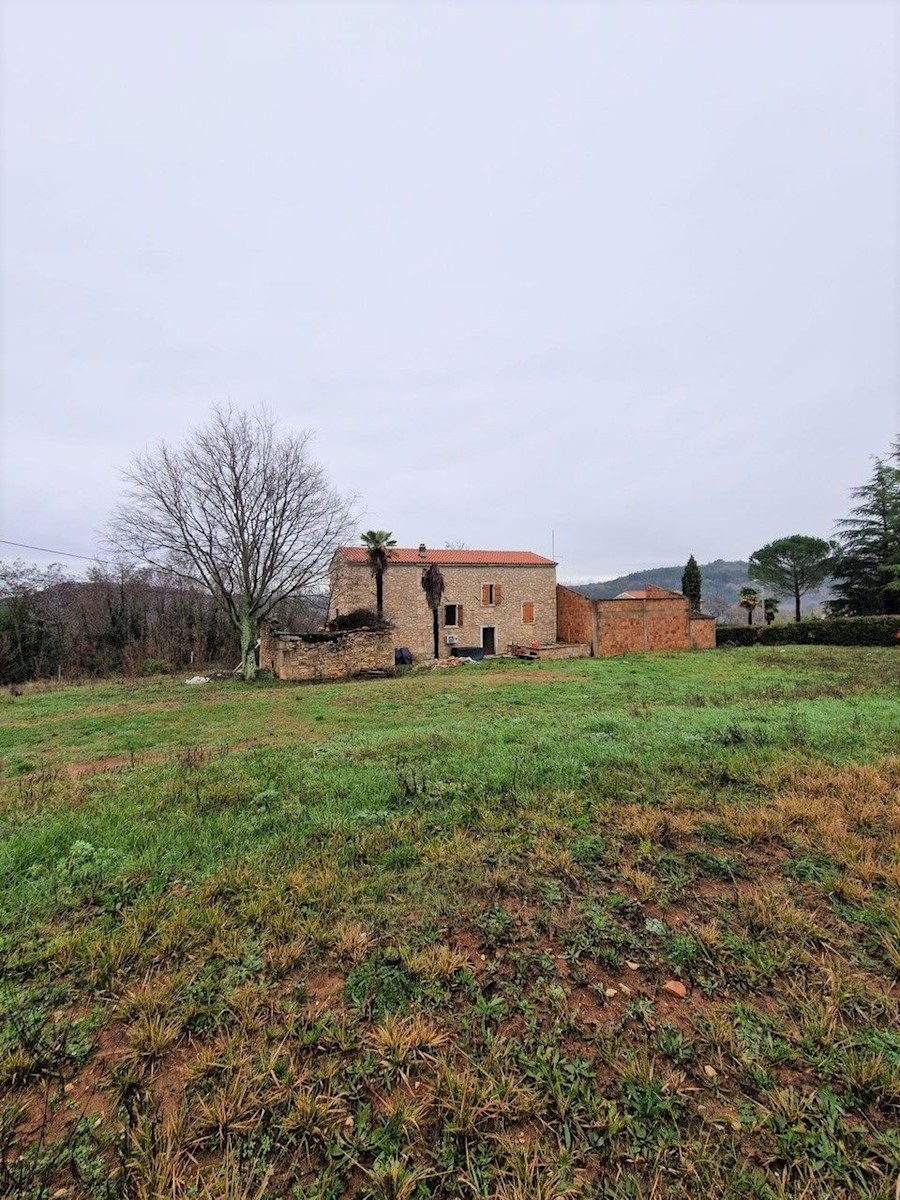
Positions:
{"x": 494, "y": 599}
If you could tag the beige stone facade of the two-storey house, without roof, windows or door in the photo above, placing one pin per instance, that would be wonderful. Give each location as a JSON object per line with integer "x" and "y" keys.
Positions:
{"x": 406, "y": 608}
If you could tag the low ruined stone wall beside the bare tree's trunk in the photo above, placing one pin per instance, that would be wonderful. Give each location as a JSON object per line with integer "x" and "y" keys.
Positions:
{"x": 341, "y": 657}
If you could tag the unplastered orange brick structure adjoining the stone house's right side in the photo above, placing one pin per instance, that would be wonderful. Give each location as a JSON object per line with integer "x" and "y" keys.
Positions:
{"x": 647, "y": 620}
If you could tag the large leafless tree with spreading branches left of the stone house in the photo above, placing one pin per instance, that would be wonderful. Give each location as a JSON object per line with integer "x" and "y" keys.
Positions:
{"x": 242, "y": 509}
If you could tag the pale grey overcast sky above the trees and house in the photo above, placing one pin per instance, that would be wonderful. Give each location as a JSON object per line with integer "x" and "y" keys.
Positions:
{"x": 615, "y": 280}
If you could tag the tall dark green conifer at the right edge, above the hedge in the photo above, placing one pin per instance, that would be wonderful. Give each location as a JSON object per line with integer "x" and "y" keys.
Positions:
{"x": 867, "y": 575}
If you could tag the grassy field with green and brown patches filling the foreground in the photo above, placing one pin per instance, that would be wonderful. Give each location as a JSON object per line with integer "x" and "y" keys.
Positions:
{"x": 525, "y": 932}
